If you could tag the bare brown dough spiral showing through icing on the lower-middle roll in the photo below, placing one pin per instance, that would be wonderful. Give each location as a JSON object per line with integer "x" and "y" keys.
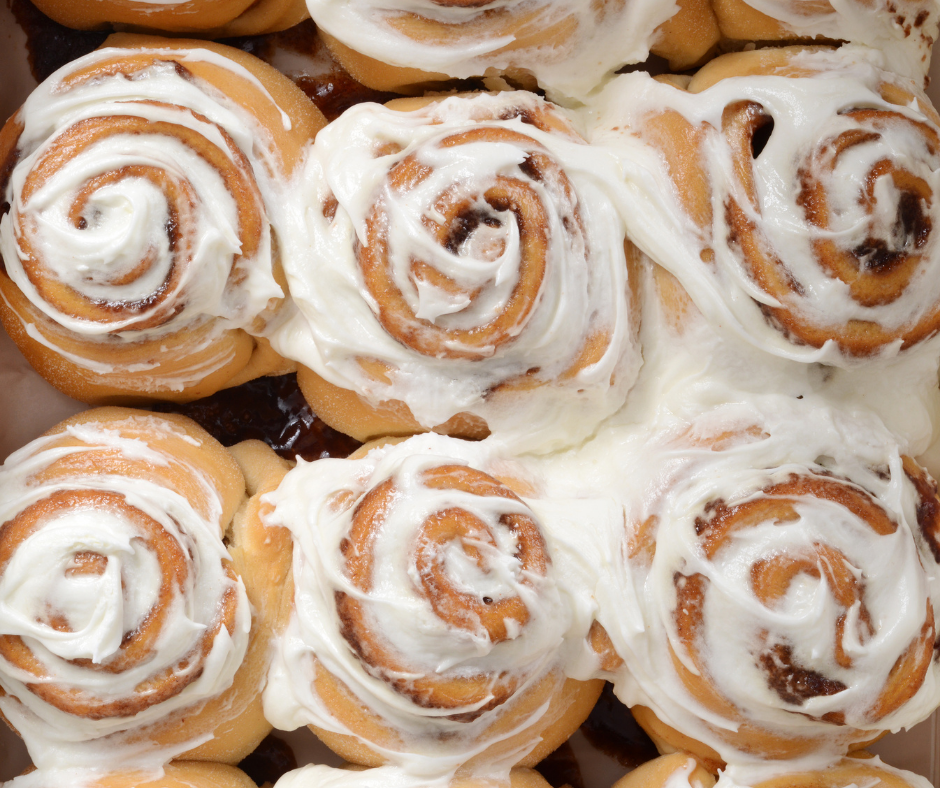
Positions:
{"x": 456, "y": 606}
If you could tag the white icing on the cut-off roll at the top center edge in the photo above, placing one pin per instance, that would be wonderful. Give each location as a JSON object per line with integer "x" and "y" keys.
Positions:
{"x": 603, "y": 37}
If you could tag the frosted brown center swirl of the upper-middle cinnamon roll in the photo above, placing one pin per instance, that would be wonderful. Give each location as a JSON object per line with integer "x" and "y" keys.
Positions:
{"x": 455, "y": 260}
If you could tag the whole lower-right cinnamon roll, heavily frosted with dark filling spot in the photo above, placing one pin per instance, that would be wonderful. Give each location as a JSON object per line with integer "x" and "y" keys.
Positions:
{"x": 784, "y": 578}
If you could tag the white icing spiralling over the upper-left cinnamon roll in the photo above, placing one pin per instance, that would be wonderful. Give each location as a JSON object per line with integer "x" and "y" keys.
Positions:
{"x": 125, "y": 220}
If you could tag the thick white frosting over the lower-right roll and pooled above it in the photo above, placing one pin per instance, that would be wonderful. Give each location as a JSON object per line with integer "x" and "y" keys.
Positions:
{"x": 695, "y": 384}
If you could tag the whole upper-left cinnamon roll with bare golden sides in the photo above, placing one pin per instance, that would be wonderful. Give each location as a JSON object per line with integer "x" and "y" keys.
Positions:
{"x": 145, "y": 220}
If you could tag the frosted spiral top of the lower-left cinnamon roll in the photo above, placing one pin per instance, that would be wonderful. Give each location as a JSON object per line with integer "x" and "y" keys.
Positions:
{"x": 75, "y": 622}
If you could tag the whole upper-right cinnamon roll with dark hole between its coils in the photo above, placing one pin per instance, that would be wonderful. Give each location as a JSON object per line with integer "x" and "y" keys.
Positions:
{"x": 796, "y": 188}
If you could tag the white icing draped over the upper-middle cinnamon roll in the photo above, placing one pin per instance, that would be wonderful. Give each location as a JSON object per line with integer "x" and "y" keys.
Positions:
{"x": 585, "y": 288}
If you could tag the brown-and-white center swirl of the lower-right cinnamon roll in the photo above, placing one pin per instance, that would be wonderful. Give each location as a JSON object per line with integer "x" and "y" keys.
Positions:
{"x": 786, "y": 564}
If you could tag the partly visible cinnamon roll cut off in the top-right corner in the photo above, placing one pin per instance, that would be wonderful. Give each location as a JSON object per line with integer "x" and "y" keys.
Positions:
{"x": 903, "y": 30}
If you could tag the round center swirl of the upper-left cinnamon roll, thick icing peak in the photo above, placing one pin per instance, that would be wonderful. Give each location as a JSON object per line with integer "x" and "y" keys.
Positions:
{"x": 115, "y": 210}
